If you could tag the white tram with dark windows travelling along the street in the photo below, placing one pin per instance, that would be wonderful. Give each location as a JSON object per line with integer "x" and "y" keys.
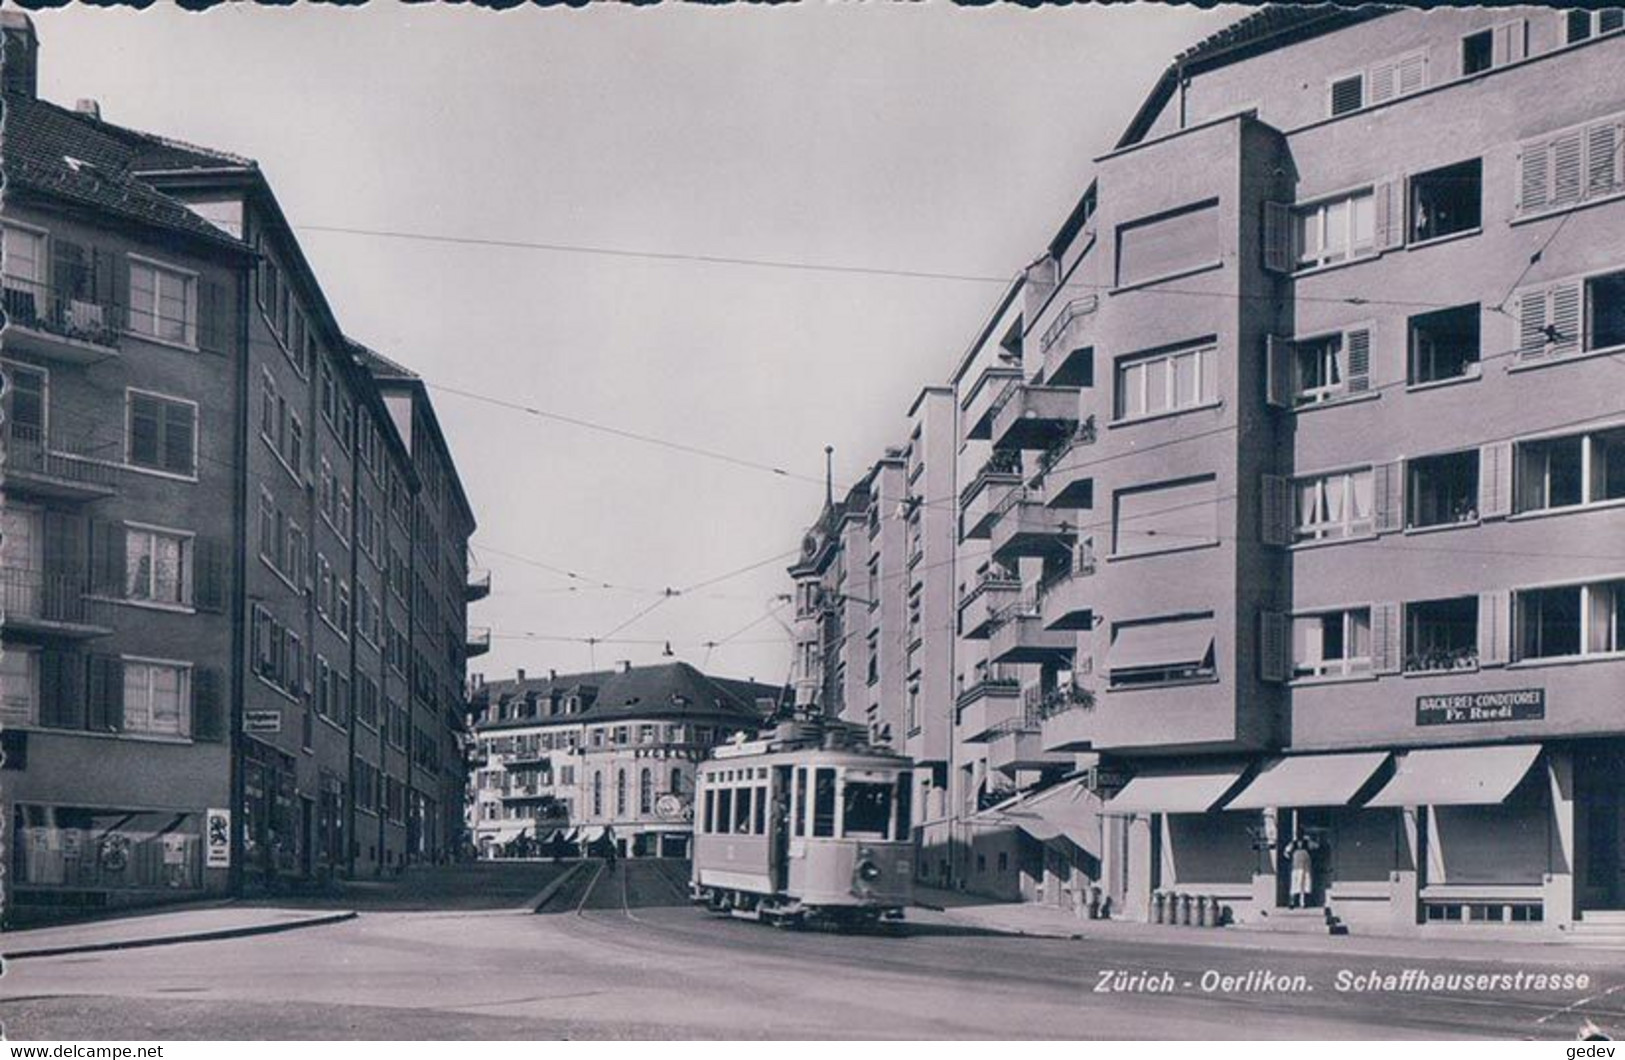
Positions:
{"x": 807, "y": 825}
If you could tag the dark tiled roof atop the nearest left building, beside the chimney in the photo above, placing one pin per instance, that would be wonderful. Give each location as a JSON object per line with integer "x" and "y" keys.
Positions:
{"x": 56, "y": 152}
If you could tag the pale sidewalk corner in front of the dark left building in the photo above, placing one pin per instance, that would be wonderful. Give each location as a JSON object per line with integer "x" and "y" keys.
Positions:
{"x": 188, "y": 926}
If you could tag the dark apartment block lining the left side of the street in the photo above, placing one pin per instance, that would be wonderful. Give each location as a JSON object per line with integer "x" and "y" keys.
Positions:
{"x": 261, "y": 502}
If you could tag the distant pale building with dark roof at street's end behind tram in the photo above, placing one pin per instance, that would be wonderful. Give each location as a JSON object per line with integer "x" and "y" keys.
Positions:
{"x": 571, "y": 762}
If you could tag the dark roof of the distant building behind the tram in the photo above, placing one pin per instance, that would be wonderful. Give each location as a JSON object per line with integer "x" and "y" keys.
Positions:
{"x": 662, "y": 692}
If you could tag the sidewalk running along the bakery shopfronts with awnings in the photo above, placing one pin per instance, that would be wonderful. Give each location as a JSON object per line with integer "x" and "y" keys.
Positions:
{"x": 1046, "y": 921}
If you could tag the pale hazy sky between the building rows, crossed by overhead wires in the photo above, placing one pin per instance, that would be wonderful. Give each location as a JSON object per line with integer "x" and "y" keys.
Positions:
{"x": 891, "y": 137}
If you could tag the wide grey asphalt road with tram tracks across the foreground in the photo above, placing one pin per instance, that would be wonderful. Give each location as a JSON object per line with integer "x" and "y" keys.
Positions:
{"x": 620, "y": 954}
